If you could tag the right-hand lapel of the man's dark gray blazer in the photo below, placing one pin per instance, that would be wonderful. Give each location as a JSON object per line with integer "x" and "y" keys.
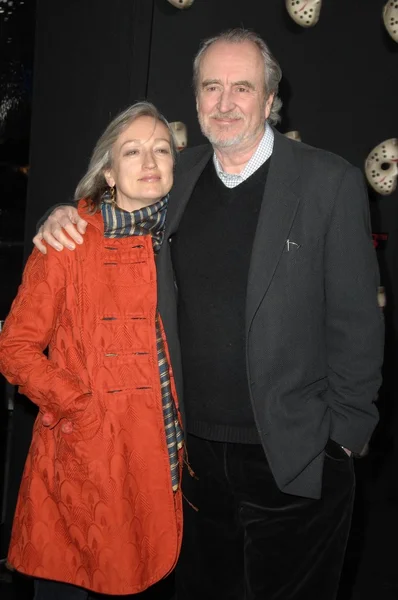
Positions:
{"x": 276, "y": 216}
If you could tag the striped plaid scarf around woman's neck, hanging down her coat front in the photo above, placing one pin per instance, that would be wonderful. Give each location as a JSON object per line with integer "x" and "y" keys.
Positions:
{"x": 150, "y": 220}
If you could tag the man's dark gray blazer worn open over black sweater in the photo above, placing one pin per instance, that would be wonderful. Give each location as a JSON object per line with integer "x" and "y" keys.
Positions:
{"x": 314, "y": 331}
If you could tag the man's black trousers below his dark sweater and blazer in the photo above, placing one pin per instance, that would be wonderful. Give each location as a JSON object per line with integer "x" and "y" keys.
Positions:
{"x": 250, "y": 541}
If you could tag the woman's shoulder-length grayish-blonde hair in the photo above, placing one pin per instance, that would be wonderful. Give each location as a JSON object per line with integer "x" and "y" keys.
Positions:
{"x": 93, "y": 185}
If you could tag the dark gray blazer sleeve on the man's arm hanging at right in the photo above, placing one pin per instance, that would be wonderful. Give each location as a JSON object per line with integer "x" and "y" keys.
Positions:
{"x": 354, "y": 321}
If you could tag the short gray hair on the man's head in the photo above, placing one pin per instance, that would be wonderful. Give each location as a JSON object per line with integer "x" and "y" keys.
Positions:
{"x": 272, "y": 70}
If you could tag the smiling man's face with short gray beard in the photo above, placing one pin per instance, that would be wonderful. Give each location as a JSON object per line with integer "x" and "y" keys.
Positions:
{"x": 231, "y": 95}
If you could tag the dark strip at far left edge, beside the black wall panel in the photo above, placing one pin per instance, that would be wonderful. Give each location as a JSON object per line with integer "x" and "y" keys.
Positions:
{"x": 17, "y": 21}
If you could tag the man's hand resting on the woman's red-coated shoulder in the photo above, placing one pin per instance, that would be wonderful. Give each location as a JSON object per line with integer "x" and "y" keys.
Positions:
{"x": 63, "y": 220}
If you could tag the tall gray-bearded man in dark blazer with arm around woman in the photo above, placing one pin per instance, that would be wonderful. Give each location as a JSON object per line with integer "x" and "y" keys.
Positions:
{"x": 269, "y": 276}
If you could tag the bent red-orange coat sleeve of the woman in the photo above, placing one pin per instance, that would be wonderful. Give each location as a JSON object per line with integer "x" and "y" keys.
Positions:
{"x": 27, "y": 332}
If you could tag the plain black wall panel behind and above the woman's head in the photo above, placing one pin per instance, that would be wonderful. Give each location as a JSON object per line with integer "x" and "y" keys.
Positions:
{"x": 91, "y": 61}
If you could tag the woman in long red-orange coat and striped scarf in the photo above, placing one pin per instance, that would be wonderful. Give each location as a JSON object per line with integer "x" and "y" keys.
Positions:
{"x": 99, "y": 506}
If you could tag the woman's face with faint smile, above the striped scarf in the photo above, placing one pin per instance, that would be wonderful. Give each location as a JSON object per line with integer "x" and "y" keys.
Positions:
{"x": 142, "y": 168}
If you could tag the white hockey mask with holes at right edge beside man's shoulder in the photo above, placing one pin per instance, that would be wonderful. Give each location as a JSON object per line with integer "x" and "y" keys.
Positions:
{"x": 381, "y": 167}
